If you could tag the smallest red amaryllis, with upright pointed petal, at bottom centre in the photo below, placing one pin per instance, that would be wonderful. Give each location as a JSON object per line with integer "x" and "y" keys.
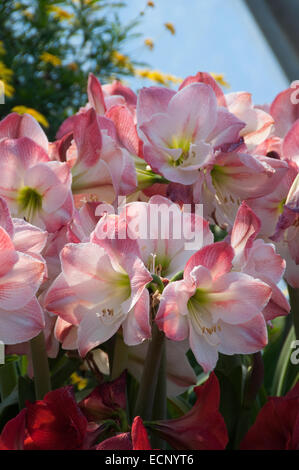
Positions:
{"x": 136, "y": 440}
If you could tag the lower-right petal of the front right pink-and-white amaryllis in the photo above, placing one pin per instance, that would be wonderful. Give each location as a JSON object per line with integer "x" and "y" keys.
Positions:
{"x": 245, "y": 338}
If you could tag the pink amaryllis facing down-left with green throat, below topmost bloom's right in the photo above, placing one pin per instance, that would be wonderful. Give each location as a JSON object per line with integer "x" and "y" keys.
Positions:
{"x": 232, "y": 177}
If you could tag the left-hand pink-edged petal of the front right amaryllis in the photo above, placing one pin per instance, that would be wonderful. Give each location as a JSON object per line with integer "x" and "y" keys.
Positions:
{"x": 171, "y": 316}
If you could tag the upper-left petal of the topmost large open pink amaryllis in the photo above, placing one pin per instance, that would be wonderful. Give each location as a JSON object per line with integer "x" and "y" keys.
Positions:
{"x": 152, "y": 100}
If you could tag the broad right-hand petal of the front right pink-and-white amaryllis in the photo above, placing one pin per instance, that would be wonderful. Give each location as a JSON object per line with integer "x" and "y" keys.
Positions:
{"x": 237, "y": 298}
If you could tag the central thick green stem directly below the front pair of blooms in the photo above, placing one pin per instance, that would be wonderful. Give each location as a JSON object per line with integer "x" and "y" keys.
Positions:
{"x": 150, "y": 374}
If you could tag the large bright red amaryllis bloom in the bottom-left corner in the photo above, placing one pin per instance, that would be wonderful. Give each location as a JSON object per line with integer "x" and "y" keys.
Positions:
{"x": 54, "y": 423}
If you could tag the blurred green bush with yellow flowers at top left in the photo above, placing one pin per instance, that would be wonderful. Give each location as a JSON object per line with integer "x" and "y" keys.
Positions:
{"x": 48, "y": 48}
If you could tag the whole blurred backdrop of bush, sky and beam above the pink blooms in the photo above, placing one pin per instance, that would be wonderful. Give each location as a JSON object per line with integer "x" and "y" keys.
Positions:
{"x": 47, "y": 48}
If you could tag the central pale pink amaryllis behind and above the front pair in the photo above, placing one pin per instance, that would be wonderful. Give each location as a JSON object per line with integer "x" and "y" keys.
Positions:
{"x": 166, "y": 235}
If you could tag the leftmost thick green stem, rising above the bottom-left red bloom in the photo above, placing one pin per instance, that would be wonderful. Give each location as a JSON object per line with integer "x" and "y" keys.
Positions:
{"x": 42, "y": 381}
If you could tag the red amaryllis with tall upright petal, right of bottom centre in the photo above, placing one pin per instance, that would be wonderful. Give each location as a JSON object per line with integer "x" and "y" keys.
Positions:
{"x": 203, "y": 427}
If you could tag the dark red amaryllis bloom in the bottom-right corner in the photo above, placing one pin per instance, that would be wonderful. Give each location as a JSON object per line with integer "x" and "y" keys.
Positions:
{"x": 277, "y": 424}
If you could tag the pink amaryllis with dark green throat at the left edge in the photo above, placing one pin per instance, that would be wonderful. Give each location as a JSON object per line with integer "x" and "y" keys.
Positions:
{"x": 33, "y": 186}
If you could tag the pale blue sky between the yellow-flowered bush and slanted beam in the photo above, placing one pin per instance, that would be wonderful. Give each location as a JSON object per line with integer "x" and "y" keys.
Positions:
{"x": 211, "y": 35}
